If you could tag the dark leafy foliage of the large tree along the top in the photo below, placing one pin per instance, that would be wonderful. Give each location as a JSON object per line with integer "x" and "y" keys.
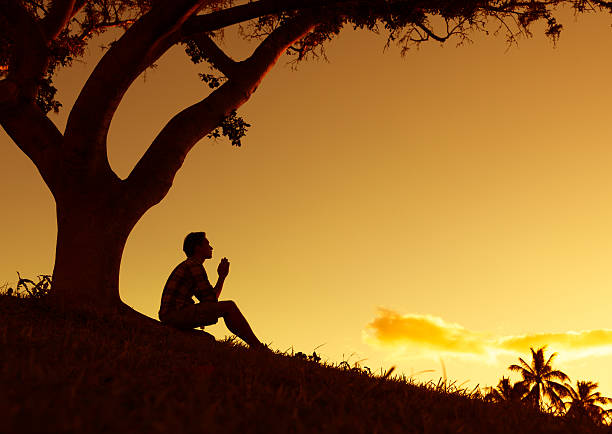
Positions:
{"x": 404, "y": 23}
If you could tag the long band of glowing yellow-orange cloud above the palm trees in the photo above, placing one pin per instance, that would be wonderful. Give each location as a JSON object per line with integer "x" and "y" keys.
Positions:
{"x": 426, "y": 334}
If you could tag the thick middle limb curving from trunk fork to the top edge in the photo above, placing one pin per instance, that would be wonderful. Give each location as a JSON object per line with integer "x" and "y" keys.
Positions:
{"x": 143, "y": 43}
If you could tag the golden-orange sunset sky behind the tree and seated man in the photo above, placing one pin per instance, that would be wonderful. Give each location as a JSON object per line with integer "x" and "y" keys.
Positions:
{"x": 452, "y": 205}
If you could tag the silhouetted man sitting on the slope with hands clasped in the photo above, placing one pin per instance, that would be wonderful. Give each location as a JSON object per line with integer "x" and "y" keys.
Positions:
{"x": 189, "y": 279}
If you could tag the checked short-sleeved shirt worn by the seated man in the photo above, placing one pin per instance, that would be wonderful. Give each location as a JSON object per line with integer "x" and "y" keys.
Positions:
{"x": 188, "y": 279}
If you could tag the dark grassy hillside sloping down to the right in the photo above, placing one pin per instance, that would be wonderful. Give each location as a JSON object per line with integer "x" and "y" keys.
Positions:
{"x": 92, "y": 375}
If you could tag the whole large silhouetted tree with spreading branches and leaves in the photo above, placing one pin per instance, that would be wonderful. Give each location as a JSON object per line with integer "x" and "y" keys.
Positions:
{"x": 96, "y": 210}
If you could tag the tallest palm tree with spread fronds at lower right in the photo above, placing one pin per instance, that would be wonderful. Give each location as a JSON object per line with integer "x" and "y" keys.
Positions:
{"x": 539, "y": 380}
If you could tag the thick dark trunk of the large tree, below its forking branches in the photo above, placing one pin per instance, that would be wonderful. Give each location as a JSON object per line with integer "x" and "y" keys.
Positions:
{"x": 91, "y": 236}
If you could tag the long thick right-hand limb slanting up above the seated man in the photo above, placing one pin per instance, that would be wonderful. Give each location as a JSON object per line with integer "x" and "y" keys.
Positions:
{"x": 153, "y": 175}
